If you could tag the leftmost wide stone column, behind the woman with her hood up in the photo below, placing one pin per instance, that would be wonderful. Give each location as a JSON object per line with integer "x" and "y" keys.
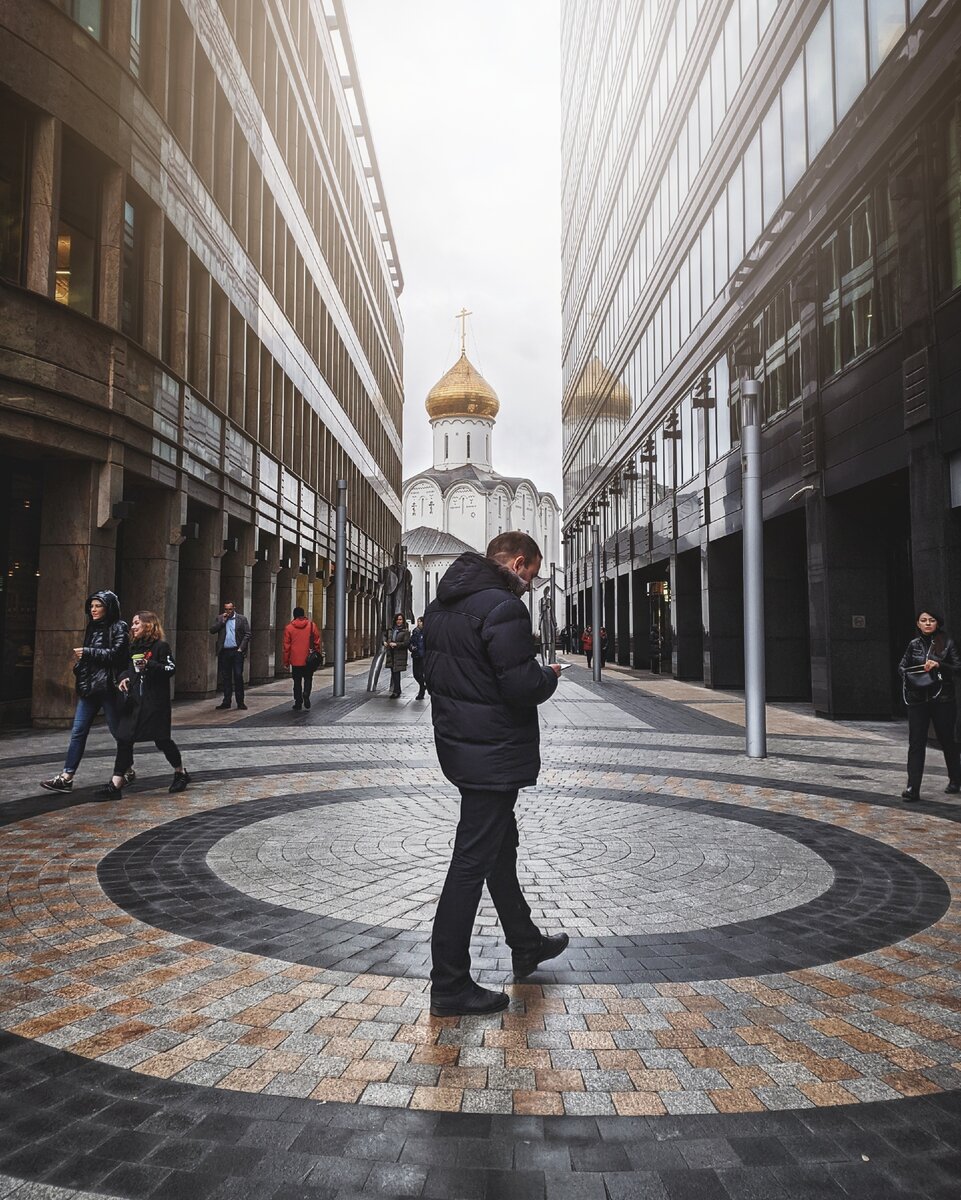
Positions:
{"x": 77, "y": 557}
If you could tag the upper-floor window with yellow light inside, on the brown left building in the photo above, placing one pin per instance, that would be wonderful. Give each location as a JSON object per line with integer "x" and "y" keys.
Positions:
{"x": 77, "y": 229}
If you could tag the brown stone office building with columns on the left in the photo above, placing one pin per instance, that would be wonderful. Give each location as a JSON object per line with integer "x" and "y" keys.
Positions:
{"x": 200, "y": 329}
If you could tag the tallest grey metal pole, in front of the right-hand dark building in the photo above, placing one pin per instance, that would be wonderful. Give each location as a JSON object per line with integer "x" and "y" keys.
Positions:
{"x": 755, "y": 728}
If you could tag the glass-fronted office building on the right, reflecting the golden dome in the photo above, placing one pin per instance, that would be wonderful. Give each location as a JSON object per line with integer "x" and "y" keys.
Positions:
{"x": 773, "y": 191}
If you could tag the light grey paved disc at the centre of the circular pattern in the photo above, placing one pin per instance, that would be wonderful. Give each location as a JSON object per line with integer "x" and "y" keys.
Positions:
{"x": 598, "y": 868}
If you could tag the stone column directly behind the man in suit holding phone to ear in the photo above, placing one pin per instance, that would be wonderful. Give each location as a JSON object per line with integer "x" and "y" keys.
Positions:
{"x": 199, "y": 604}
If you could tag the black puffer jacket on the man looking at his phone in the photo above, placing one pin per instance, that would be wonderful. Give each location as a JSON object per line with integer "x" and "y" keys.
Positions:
{"x": 484, "y": 680}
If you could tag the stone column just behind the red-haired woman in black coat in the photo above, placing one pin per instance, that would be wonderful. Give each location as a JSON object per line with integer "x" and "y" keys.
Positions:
{"x": 151, "y": 569}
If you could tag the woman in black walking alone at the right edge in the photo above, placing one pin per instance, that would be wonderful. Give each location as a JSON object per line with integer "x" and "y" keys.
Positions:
{"x": 929, "y": 670}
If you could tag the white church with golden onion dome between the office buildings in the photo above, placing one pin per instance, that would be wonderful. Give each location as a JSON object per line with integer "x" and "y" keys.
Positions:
{"x": 461, "y": 502}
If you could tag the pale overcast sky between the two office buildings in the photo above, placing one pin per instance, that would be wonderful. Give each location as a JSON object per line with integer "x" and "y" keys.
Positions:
{"x": 463, "y": 98}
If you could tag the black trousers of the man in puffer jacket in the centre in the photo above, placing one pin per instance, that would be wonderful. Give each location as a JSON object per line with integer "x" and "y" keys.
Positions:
{"x": 485, "y": 851}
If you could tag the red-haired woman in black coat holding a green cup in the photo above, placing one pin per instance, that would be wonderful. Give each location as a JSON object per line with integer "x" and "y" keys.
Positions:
{"x": 147, "y": 686}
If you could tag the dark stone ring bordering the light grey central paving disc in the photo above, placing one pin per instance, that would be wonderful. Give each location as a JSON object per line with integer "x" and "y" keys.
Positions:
{"x": 879, "y": 896}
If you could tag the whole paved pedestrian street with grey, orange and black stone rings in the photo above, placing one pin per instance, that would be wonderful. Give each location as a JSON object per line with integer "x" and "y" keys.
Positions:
{"x": 224, "y": 994}
